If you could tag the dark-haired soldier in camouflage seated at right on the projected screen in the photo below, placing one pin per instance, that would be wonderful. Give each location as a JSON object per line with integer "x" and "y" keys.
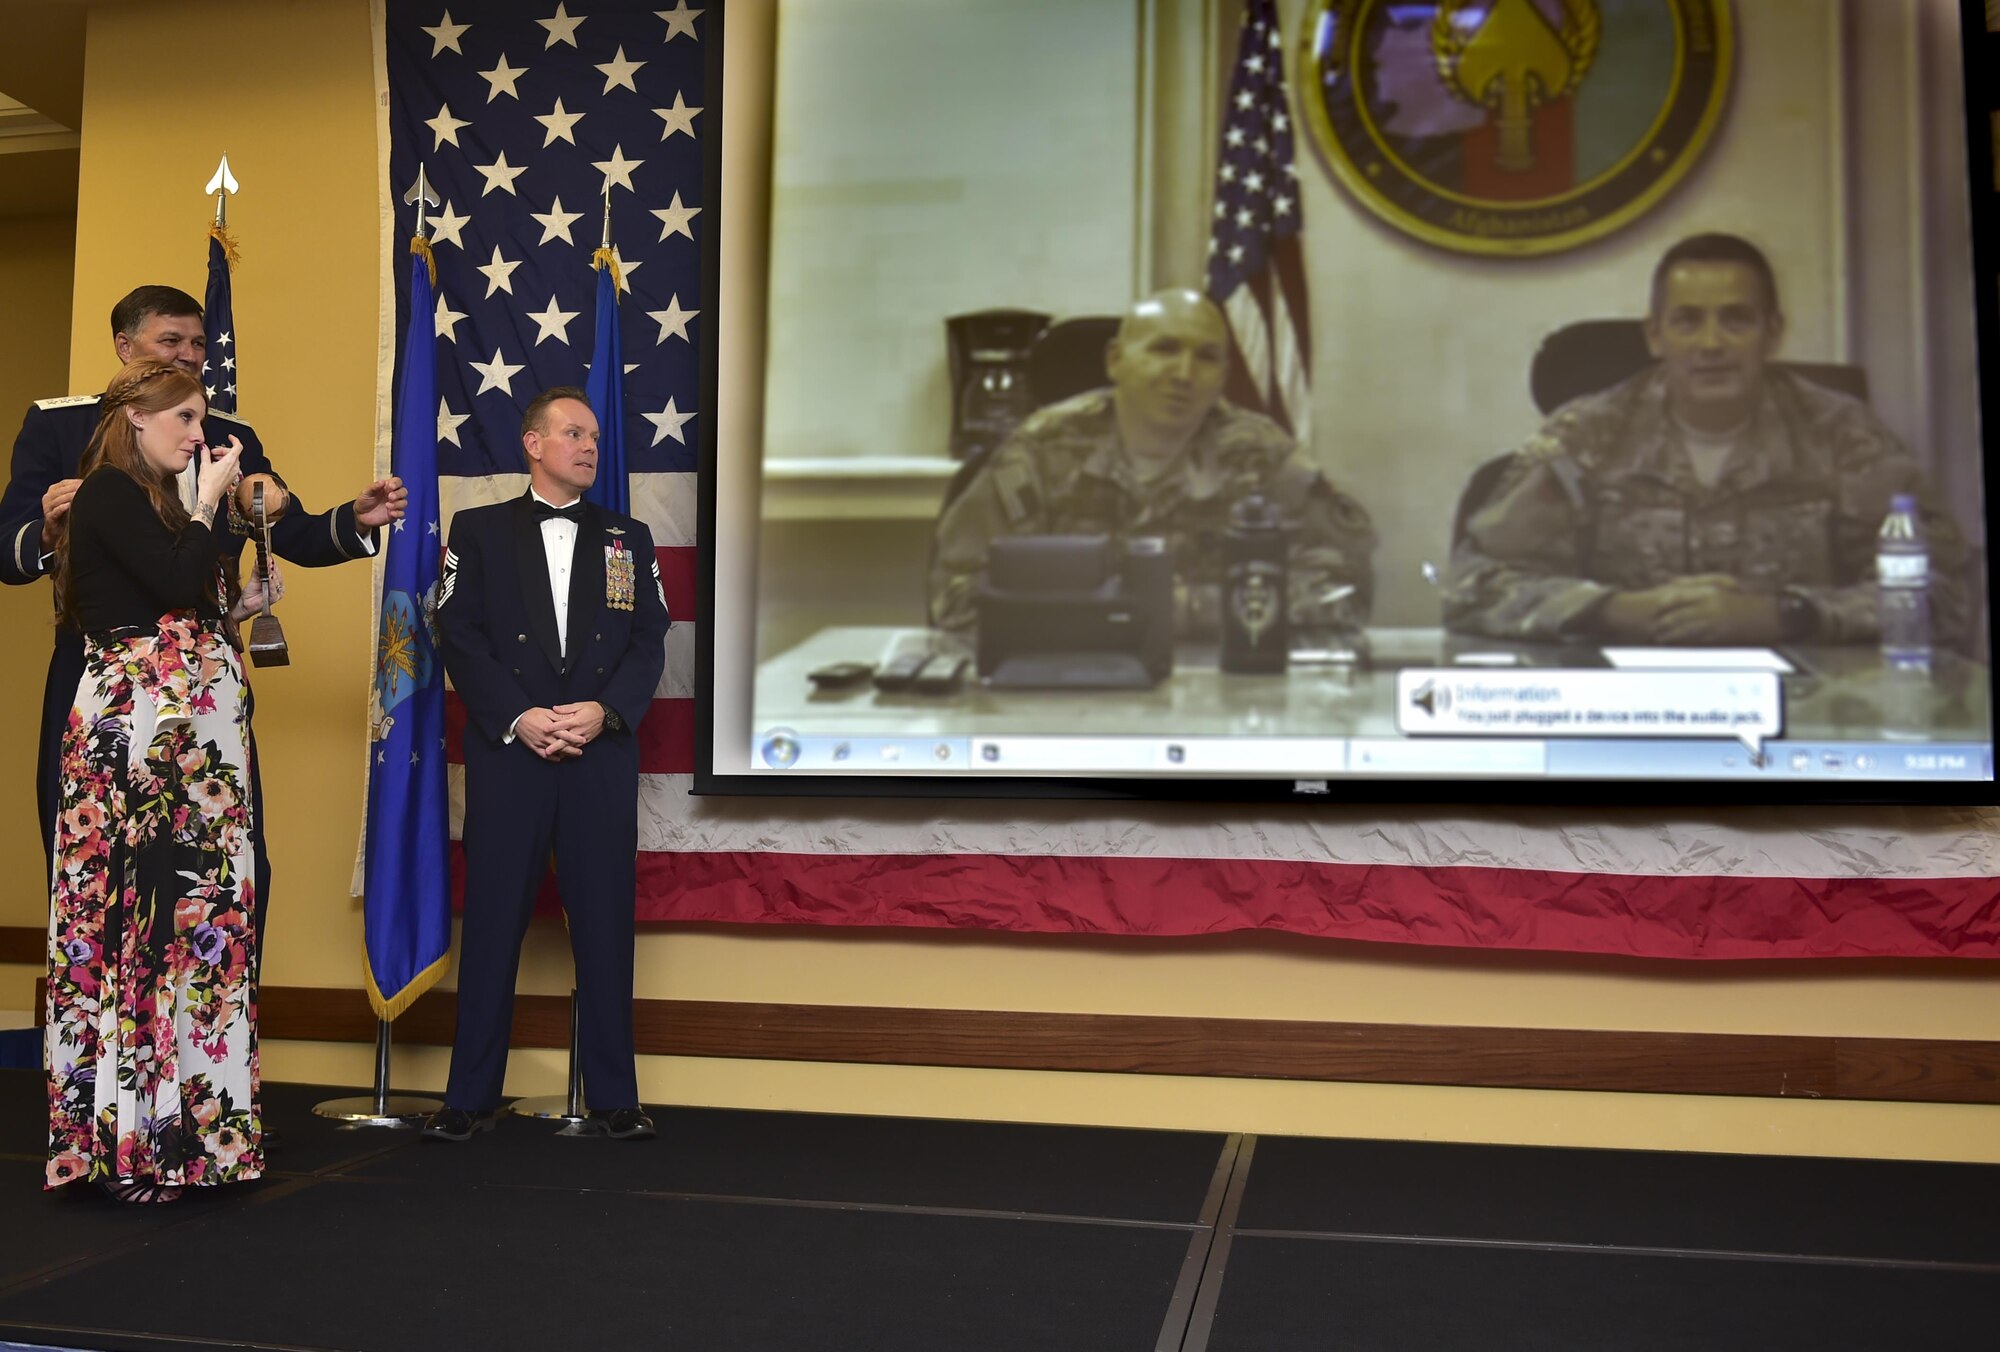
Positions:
{"x": 1705, "y": 501}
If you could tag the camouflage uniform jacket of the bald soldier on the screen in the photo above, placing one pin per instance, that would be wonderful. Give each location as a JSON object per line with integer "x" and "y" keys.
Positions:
{"x": 1065, "y": 473}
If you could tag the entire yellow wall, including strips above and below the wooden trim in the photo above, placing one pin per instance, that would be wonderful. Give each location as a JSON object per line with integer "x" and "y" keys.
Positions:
{"x": 305, "y": 301}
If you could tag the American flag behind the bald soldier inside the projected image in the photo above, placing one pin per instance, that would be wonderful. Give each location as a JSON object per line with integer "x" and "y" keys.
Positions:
{"x": 1257, "y": 267}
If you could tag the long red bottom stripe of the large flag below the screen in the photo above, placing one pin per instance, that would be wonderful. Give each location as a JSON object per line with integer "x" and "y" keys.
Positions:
{"x": 1647, "y": 917}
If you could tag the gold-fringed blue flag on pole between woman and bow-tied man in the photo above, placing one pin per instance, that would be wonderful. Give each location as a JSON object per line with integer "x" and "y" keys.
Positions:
{"x": 407, "y": 909}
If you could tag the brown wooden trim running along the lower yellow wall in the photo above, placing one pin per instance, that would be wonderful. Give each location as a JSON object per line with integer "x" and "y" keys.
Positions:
{"x": 1541, "y": 1059}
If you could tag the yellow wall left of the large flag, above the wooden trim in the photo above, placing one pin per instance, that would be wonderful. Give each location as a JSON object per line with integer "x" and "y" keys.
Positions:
{"x": 301, "y": 141}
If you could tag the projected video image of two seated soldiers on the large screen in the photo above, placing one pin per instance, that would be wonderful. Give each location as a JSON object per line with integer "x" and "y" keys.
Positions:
{"x": 1329, "y": 391}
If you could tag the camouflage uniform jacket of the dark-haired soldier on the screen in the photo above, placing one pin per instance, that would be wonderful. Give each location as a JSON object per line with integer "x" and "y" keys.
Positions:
{"x": 1605, "y": 499}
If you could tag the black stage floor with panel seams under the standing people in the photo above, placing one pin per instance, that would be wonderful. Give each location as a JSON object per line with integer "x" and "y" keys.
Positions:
{"x": 785, "y": 1231}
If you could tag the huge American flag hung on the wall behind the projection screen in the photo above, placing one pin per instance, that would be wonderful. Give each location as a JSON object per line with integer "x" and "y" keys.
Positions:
{"x": 523, "y": 115}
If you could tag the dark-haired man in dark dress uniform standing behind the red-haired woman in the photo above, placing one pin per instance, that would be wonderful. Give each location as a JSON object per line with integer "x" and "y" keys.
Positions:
{"x": 165, "y": 325}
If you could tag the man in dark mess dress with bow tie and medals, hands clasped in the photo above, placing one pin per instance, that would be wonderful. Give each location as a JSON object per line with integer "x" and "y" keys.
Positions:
{"x": 553, "y": 627}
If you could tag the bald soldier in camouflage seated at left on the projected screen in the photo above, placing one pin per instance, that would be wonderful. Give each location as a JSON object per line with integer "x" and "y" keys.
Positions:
{"x": 1161, "y": 455}
